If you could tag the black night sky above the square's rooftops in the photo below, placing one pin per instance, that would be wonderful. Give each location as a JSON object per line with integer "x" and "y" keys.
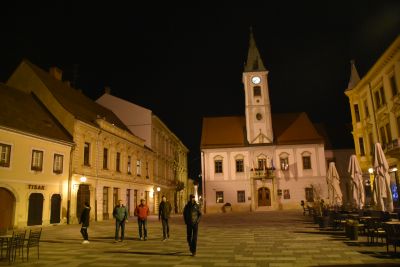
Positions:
{"x": 187, "y": 63}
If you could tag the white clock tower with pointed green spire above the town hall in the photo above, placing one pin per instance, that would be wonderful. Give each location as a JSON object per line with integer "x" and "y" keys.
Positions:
{"x": 258, "y": 108}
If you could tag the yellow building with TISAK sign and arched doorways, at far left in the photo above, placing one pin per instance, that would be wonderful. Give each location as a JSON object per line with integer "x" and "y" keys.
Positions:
{"x": 34, "y": 162}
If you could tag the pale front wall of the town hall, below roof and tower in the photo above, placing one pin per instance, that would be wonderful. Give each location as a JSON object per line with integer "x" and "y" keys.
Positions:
{"x": 295, "y": 179}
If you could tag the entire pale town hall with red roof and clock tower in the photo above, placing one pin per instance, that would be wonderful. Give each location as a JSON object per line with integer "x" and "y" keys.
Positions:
{"x": 261, "y": 161}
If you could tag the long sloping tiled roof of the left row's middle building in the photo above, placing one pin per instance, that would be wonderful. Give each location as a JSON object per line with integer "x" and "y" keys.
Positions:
{"x": 82, "y": 107}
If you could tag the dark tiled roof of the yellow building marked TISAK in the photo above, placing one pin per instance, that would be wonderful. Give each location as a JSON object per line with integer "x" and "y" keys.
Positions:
{"x": 24, "y": 112}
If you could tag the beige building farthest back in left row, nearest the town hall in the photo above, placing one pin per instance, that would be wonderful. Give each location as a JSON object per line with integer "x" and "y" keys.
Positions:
{"x": 170, "y": 165}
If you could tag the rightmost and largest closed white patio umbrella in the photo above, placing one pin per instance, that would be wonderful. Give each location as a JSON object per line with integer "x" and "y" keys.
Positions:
{"x": 382, "y": 195}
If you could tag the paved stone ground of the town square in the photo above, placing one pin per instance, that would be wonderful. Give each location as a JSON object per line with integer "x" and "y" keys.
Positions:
{"x": 284, "y": 238}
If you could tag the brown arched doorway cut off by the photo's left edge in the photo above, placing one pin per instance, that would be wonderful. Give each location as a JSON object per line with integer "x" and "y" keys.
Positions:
{"x": 7, "y": 201}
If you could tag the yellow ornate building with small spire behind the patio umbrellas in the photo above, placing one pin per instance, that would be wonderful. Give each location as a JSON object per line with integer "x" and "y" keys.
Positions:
{"x": 375, "y": 110}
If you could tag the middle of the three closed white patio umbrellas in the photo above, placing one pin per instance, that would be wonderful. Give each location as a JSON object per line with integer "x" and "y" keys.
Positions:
{"x": 357, "y": 187}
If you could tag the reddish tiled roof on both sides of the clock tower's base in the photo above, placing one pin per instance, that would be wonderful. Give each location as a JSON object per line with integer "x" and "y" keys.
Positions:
{"x": 288, "y": 128}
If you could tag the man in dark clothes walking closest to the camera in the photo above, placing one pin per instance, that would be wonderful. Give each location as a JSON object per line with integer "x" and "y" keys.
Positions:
{"x": 192, "y": 214}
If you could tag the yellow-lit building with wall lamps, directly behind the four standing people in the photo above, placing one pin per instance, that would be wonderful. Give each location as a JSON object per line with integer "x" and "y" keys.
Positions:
{"x": 108, "y": 162}
